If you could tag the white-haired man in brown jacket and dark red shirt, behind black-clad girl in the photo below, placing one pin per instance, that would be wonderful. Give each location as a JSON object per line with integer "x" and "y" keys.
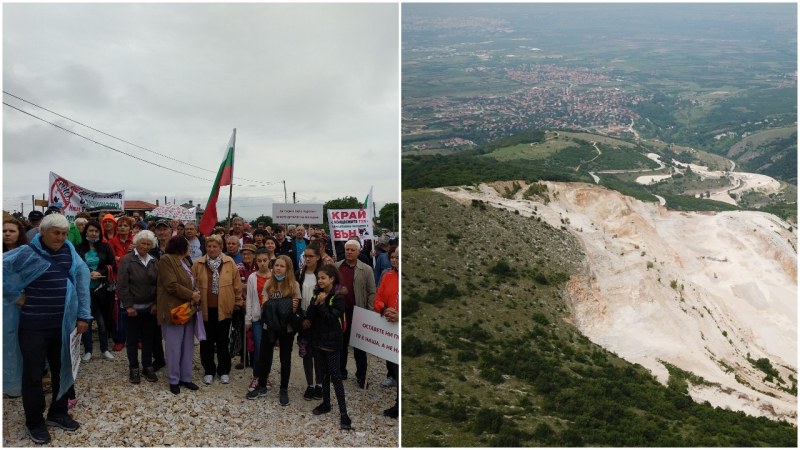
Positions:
{"x": 359, "y": 280}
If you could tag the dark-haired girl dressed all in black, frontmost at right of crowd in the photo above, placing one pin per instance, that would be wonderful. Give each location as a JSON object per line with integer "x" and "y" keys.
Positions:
{"x": 326, "y": 313}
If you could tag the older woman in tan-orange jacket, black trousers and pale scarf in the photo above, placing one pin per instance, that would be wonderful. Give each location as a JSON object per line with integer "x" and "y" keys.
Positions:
{"x": 220, "y": 290}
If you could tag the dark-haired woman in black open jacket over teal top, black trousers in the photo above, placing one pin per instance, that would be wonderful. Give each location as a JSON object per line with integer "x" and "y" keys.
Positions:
{"x": 99, "y": 257}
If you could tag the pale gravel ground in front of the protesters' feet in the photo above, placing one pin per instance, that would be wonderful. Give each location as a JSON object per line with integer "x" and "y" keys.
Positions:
{"x": 115, "y": 413}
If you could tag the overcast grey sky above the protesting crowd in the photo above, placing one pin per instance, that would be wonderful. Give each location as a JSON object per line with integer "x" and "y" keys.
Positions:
{"x": 313, "y": 91}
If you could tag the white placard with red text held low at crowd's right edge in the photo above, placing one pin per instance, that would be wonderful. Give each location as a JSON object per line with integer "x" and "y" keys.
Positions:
{"x": 374, "y": 334}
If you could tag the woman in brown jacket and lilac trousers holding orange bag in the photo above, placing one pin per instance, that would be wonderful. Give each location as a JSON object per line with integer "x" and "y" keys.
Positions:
{"x": 176, "y": 285}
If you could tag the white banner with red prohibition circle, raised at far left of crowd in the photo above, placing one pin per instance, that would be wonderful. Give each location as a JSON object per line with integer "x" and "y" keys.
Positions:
{"x": 74, "y": 199}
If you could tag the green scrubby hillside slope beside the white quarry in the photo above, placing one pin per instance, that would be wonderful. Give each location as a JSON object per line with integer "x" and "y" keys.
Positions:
{"x": 490, "y": 357}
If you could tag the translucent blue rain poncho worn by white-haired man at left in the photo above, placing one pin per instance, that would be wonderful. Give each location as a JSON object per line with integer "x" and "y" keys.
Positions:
{"x": 21, "y": 267}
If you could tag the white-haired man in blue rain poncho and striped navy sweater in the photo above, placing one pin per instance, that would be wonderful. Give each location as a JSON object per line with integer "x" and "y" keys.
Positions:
{"x": 55, "y": 281}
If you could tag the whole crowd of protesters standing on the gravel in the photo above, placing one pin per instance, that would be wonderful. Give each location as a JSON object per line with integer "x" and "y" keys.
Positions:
{"x": 156, "y": 287}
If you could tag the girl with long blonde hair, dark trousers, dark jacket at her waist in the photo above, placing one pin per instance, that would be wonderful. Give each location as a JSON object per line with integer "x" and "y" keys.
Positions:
{"x": 281, "y": 324}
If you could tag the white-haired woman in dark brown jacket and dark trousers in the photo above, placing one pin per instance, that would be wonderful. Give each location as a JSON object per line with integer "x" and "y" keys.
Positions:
{"x": 136, "y": 288}
